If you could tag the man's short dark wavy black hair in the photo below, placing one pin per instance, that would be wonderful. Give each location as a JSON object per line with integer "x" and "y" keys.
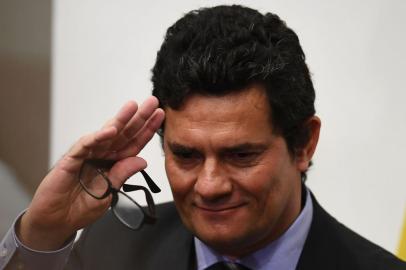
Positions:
{"x": 222, "y": 49}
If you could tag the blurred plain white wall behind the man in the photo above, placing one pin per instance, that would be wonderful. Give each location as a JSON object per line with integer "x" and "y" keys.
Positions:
{"x": 103, "y": 52}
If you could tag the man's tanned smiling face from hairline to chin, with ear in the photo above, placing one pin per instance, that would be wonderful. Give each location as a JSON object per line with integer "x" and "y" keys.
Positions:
{"x": 234, "y": 183}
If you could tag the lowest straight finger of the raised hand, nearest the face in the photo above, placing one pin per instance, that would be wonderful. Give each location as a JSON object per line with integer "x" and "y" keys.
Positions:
{"x": 143, "y": 136}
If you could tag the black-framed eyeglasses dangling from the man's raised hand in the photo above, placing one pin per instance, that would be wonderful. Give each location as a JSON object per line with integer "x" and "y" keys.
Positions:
{"x": 93, "y": 179}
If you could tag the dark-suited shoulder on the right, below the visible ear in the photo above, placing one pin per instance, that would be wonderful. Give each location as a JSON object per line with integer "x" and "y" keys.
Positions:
{"x": 331, "y": 245}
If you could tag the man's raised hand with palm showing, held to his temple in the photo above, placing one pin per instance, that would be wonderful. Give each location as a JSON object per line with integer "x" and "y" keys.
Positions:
{"x": 60, "y": 206}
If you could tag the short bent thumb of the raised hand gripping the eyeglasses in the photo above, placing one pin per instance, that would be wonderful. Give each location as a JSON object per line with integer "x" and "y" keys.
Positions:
{"x": 124, "y": 169}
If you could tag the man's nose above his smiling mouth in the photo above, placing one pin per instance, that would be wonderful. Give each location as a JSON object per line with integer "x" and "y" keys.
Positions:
{"x": 212, "y": 181}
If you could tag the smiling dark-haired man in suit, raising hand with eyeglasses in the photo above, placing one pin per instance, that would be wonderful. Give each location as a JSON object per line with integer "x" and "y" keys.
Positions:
{"x": 239, "y": 134}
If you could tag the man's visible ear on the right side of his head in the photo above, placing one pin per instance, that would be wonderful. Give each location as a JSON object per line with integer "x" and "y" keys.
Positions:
{"x": 304, "y": 156}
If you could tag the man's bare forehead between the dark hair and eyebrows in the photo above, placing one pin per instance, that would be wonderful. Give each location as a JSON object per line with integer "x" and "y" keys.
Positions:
{"x": 240, "y": 114}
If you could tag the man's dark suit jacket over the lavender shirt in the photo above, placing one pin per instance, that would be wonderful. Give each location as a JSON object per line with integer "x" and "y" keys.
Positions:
{"x": 107, "y": 244}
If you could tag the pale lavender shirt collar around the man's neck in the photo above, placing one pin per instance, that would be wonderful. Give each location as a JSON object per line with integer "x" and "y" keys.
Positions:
{"x": 283, "y": 253}
